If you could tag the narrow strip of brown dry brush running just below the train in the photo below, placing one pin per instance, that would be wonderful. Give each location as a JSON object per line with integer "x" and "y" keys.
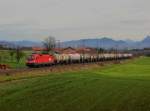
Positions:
{"x": 58, "y": 68}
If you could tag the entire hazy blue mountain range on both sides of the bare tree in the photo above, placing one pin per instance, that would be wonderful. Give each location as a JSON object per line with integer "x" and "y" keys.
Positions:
{"x": 105, "y": 42}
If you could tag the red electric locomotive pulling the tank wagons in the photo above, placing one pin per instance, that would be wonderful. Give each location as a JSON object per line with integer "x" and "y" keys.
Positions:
{"x": 36, "y": 60}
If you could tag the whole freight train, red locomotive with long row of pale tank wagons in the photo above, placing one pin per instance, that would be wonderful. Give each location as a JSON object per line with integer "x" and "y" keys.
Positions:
{"x": 38, "y": 60}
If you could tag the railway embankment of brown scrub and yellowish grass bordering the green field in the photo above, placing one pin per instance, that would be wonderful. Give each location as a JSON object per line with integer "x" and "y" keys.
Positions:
{"x": 23, "y": 73}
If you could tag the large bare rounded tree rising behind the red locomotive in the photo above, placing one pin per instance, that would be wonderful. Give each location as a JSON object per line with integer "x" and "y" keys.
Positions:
{"x": 49, "y": 43}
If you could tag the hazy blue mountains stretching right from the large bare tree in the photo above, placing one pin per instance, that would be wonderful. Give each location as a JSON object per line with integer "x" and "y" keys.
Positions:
{"x": 106, "y": 42}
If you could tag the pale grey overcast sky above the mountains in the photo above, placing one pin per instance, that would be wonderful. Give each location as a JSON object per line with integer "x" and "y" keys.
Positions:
{"x": 74, "y": 19}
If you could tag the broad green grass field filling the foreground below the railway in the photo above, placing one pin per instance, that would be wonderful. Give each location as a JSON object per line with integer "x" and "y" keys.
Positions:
{"x": 120, "y": 87}
